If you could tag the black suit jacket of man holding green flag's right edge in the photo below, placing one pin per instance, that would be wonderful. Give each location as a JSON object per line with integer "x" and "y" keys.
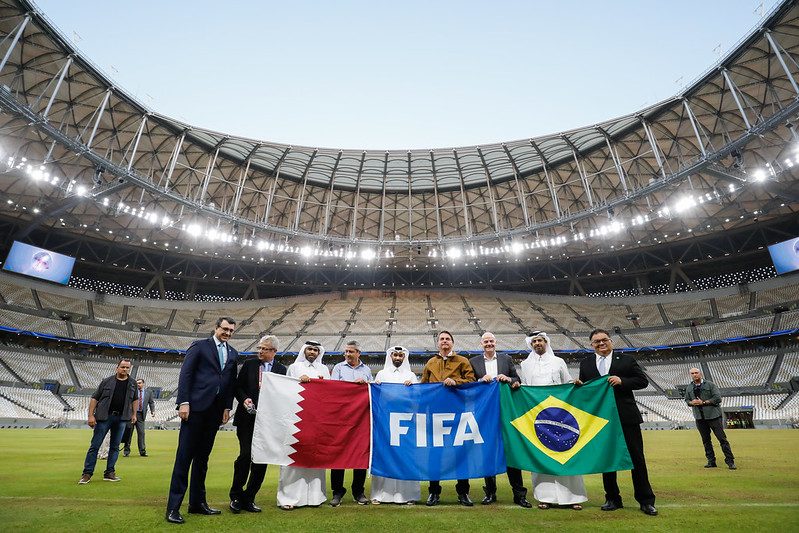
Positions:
{"x": 632, "y": 378}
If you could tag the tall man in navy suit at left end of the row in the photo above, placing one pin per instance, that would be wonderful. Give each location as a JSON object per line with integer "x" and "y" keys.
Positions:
{"x": 205, "y": 397}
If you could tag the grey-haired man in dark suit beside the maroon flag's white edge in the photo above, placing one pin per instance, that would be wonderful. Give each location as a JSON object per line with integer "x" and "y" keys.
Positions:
{"x": 248, "y": 386}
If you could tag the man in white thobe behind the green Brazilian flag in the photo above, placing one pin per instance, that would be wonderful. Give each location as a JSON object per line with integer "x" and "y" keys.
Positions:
{"x": 543, "y": 367}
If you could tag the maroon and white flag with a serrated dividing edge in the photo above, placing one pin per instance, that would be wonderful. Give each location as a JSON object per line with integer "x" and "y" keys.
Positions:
{"x": 321, "y": 424}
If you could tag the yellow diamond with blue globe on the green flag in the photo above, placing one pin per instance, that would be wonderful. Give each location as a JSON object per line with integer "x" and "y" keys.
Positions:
{"x": 558, "y": 429}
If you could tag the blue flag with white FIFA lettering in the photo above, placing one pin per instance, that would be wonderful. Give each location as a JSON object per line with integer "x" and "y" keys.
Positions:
{"x": 432, "y": 432}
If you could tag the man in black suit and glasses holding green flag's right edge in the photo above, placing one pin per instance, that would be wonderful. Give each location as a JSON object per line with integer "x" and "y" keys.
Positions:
{"x": 624, "y": 375}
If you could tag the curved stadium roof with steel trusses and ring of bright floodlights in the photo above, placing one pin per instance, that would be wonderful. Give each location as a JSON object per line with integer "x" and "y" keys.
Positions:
{"x": 82, "y": 157}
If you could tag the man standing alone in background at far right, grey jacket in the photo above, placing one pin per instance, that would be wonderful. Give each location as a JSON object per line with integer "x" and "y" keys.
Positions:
{"x": 705, "y": 399}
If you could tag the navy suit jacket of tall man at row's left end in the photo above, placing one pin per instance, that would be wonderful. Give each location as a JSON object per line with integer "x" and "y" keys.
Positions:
{"x": 202, "y": 379}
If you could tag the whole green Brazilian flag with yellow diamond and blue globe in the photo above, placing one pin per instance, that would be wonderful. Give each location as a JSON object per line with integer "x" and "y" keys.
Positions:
{"x": 563, "y": 430}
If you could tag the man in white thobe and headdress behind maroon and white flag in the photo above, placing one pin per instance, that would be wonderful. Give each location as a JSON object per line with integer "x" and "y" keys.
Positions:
{"x": 298, "y": 487}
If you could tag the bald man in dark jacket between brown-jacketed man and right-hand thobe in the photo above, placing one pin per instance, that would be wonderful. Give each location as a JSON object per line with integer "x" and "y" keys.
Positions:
{"x": 487, "y": 367}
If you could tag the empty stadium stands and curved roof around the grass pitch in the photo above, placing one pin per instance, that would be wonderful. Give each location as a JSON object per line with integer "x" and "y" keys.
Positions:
{"x": 655, "y": 226}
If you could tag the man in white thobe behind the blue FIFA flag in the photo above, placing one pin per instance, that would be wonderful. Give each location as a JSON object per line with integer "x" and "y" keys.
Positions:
{"x": 396, "y": 369}
